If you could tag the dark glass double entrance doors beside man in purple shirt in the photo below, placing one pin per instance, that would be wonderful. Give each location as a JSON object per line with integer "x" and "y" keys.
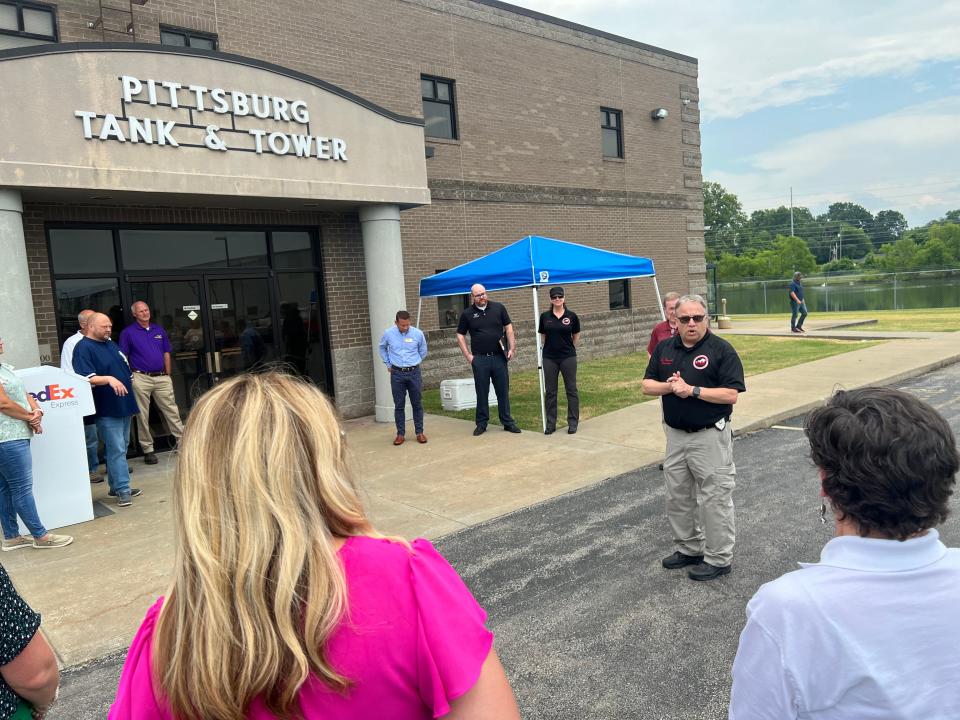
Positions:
{"x": 218, "y": 327}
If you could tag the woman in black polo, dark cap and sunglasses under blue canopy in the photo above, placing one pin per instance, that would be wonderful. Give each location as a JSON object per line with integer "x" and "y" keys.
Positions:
{"x": 559, "y": 330}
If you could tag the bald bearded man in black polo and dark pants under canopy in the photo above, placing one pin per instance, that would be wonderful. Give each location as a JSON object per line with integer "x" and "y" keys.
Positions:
{"x": 487, "y": 322}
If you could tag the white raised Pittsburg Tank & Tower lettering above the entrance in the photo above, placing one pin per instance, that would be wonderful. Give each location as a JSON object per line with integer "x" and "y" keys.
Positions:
{"x": 213, "y": 112}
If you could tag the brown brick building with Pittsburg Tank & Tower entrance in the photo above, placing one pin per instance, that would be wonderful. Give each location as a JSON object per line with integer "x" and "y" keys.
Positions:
{"x": 462, "y": 125}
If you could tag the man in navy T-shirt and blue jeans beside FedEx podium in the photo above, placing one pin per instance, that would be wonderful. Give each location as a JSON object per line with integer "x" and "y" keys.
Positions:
{"x": 101, "y": 361}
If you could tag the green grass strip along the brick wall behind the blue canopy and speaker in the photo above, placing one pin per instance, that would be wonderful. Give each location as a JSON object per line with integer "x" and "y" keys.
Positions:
{"x": 608, "y": 384}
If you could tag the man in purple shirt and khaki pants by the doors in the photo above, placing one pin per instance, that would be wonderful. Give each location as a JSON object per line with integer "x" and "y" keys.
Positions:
{"x": 147, "y": 348}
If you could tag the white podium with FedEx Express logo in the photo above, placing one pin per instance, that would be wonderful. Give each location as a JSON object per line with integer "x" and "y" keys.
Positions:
{"x": 61, "y": 482}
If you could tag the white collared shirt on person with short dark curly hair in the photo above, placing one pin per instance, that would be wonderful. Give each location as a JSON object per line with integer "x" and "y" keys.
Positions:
{"x": 870, "y": 632}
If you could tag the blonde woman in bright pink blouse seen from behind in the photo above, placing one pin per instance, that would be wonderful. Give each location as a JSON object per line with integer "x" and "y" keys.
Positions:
{"x": 285, "y": 603}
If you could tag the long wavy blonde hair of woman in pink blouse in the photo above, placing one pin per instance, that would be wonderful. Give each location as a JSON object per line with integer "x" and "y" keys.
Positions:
{"x": 261, "y": 491}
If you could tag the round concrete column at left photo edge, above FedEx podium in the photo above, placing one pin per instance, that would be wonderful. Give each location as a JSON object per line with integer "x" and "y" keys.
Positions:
{"x": 18, "y": 325}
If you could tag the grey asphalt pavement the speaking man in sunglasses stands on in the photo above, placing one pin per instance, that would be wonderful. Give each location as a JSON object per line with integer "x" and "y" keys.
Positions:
{"x": 588, "y": 624}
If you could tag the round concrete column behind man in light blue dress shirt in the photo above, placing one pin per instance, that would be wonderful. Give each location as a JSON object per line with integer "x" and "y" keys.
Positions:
{"x": 383, "y": 259}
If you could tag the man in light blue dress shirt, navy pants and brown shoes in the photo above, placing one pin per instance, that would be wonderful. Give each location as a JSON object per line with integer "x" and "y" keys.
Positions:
{"x": 402, "y": 349}
